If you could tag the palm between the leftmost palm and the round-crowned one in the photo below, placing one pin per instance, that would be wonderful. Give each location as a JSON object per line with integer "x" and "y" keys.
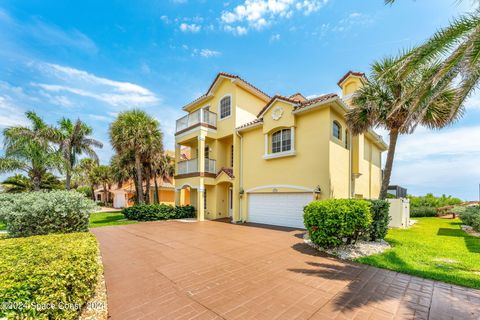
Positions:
{"x": 74, "y": 140}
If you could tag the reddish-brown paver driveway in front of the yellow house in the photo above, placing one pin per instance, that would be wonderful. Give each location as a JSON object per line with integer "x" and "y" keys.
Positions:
{"x": 214, "y": 270}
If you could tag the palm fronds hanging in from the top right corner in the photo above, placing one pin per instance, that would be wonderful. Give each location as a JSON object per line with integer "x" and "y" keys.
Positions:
{"x": 456, "y": 47}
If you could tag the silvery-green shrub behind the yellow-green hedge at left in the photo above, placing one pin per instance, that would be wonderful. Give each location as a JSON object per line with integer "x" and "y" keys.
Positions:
{"x": 36, "y": 213}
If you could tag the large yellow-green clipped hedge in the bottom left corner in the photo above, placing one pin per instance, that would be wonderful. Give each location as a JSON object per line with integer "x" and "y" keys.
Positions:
{"x": 58, "y": 270}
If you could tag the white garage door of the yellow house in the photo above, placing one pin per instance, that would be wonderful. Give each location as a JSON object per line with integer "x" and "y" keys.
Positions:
{"x": 280, "y": 209}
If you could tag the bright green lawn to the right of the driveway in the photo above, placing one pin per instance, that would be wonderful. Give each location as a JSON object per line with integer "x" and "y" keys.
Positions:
{"x": 433, "y": 248}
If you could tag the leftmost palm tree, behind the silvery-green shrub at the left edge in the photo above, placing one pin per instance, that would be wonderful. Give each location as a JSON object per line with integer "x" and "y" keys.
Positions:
{"x": 28, "y": 149}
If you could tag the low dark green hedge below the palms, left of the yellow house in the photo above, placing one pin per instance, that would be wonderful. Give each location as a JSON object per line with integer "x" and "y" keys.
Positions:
{"x": 151, "y": 212}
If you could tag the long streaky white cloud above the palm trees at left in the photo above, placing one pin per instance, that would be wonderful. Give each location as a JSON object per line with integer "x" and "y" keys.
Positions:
{"x": 82, "y": 83}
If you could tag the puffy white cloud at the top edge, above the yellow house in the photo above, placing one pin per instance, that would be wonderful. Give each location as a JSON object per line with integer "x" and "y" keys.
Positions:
{"x": 258, "y": 14}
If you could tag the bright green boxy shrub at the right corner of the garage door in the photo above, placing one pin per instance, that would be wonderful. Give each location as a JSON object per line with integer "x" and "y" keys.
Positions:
{"x": 330, "y": 221}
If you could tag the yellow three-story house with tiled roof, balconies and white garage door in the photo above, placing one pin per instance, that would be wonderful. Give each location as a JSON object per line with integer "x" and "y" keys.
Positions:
{"x": 260, "y": 159}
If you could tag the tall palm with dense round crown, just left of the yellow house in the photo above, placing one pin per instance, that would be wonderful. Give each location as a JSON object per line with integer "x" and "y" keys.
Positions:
{"x": 134, "y": 132}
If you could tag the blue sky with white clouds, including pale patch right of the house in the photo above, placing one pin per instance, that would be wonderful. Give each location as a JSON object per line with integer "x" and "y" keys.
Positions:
{"x": 93, "y": 59}
